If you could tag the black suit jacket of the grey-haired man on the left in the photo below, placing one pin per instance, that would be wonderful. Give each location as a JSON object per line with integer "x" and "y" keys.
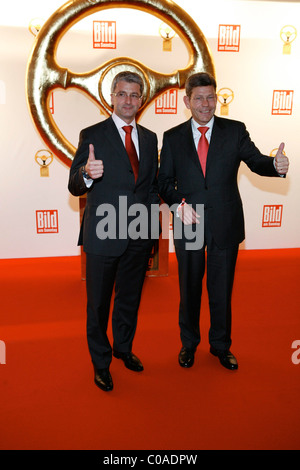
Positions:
{"x": 117, "y": 181}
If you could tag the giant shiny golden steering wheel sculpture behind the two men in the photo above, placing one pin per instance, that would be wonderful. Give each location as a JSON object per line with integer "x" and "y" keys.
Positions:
{"x": 44, "y": 74}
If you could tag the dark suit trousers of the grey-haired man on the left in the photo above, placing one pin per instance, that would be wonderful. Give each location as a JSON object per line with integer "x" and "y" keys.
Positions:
{"x": 125, "y": 274}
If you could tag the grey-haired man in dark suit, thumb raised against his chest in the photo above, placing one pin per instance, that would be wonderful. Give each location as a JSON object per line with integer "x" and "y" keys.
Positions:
{"x": 116, "y": 182}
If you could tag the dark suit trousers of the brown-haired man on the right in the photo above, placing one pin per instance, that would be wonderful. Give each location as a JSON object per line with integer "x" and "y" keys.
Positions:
{"x": 220, "y": 268}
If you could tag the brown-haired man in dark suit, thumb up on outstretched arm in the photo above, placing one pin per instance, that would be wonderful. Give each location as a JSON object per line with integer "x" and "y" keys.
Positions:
{"x": 199, "y": 164}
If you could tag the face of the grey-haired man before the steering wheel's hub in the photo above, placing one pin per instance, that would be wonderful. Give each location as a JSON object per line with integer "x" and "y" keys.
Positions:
{"x": 126, "y": 100}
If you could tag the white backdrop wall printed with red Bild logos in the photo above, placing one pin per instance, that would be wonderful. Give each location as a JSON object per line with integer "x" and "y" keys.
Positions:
{"x": 253, "y": 74}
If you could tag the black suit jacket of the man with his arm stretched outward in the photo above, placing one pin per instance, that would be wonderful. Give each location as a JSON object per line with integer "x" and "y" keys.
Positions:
{"x": 181, "y": 175}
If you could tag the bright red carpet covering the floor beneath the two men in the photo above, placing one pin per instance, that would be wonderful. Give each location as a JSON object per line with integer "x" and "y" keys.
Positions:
{"x": 48, "y": 398}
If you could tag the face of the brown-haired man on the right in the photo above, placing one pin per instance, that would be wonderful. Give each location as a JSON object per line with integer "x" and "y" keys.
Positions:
{"x": 202, "y": 103}
